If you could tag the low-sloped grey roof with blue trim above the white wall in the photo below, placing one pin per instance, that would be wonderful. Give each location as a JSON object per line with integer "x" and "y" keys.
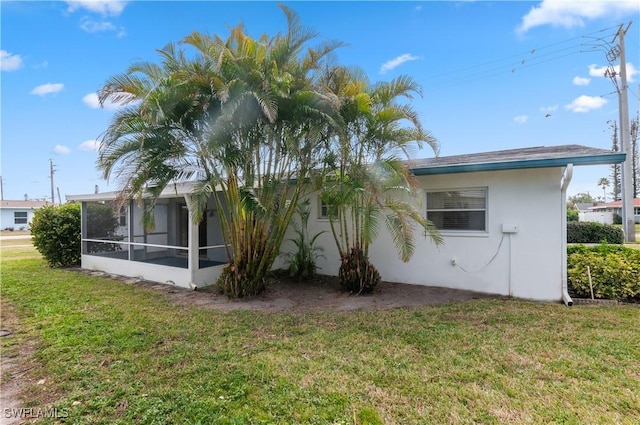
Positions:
{"x": 514, "y": 159}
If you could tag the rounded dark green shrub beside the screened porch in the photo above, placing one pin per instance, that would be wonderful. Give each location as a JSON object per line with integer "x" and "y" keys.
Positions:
{"x": 56, "y": 234}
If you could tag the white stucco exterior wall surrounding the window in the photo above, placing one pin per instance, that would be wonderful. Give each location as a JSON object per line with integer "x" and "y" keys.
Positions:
{"x": 527, "y": 264}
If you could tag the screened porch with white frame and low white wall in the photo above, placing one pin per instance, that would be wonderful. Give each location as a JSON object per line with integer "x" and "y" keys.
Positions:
{"x": 174, "y": 251}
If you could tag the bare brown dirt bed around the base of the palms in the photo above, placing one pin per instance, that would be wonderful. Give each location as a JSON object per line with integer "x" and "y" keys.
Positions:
{"x": 322, "y": 293}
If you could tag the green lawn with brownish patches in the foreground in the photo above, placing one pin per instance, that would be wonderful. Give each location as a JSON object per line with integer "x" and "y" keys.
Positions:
{"x": 115, "y": 353}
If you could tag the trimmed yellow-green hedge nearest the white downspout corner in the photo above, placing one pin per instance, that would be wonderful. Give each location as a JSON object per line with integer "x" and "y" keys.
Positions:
{"x": 615, "y": 271}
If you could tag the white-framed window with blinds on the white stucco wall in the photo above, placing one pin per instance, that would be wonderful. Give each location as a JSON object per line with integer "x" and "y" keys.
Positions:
{"x": 458, "y": 210}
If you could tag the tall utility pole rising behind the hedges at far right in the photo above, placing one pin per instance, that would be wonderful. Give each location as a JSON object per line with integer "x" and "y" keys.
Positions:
{"x": 625, "y": 143}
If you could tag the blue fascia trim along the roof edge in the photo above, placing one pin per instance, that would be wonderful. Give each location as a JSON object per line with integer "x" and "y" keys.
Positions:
{"x": 604, "y": 159}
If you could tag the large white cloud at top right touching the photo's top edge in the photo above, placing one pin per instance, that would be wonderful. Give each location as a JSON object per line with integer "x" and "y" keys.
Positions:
{"x": 571, "y": 13}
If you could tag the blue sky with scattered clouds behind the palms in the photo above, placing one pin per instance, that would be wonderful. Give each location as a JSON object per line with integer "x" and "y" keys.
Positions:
{"x": 495, "y": 75}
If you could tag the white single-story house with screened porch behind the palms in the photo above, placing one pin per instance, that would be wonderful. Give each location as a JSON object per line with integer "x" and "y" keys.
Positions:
{"x": 502, "y": 215}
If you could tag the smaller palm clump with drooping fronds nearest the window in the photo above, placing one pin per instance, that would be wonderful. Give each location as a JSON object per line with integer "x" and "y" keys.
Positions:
{"x": 367, "y": 182}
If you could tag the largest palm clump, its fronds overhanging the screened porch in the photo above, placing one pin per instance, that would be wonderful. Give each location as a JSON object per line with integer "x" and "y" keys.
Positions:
{"x": 243, "y": 119}
